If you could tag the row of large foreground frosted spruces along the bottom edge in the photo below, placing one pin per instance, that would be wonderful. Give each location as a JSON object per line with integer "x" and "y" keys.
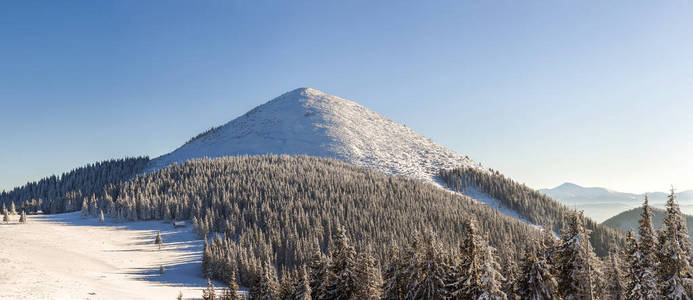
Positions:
{"x": 654, "y": 266}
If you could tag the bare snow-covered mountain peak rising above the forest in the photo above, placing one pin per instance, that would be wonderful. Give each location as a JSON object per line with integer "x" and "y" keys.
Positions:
{"x": 308, "y": 121}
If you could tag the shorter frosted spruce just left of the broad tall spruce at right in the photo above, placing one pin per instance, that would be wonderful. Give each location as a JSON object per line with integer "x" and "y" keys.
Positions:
{"x": 536, "y": 281}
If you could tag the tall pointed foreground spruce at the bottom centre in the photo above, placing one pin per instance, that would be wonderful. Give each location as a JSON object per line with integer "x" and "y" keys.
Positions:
{"x": 341, "y": 282}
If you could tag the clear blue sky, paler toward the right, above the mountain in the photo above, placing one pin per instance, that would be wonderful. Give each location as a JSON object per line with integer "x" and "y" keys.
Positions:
{"x": 599, "y": 93}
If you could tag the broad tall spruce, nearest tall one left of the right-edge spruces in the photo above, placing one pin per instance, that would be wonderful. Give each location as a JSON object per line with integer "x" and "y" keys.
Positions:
{"x": 577, "y": 265}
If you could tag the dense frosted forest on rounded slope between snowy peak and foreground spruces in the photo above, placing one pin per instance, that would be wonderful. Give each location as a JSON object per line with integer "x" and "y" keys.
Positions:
{"x": 276, "y": 207}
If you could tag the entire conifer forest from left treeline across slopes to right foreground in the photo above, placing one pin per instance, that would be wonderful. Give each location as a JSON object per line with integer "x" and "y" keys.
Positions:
{"x": 300, "y": 227}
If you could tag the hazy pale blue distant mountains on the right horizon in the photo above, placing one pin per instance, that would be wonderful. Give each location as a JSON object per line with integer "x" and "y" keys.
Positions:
{"x": 600, "y": 203}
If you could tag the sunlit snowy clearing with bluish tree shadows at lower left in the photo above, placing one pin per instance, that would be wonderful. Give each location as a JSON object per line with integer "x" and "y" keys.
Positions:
{"x": 67, "y": 257}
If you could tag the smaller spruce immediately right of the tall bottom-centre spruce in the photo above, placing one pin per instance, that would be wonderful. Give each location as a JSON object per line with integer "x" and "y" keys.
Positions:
{"x": 369, "y": 278}
